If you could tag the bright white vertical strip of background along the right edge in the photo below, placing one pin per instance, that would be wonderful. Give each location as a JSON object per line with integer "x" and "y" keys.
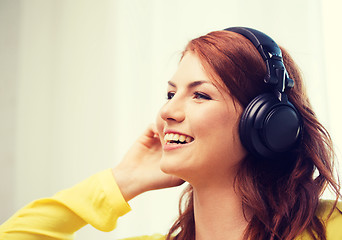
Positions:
{"x": 332, "y": 53}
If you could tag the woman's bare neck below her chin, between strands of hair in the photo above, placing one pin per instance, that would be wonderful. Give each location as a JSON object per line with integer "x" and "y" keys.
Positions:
{"x": 218, "y": 213}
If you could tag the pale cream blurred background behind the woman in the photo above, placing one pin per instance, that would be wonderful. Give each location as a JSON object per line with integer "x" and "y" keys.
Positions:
{"x": 81, "y": 79}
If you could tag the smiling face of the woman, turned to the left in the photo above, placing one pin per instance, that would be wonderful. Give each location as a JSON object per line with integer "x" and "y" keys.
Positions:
{"x": 198, "y": 127}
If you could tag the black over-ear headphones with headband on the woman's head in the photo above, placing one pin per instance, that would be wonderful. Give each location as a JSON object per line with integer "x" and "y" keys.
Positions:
{"x": 270, "y": 126}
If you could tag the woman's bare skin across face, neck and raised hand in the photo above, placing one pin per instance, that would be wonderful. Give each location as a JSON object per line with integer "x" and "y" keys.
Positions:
{"x": 196, "y": 107}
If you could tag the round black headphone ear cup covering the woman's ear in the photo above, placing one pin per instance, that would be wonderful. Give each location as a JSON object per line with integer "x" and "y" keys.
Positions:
{"x": 269, "y": 127}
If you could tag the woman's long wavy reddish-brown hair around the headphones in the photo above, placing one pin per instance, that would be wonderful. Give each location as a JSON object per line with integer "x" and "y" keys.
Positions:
{"x": 282, "y": 196}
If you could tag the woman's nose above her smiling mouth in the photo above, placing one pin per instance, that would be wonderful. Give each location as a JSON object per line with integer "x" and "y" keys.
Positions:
{"x": 173, "y": 111}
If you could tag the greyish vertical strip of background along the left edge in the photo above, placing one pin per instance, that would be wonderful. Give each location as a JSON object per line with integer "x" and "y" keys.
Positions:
{"x": 9, "y": 27}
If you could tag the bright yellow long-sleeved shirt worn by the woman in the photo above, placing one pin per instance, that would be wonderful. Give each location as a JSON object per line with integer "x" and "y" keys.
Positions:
{"x": 98, "y": 201}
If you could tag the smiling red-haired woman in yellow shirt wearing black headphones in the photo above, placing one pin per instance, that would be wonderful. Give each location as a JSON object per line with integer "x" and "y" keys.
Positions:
{"x": 245, "y": 181}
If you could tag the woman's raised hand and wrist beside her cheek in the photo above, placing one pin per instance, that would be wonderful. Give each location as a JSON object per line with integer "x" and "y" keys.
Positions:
{"x": 139, "y": 171}
